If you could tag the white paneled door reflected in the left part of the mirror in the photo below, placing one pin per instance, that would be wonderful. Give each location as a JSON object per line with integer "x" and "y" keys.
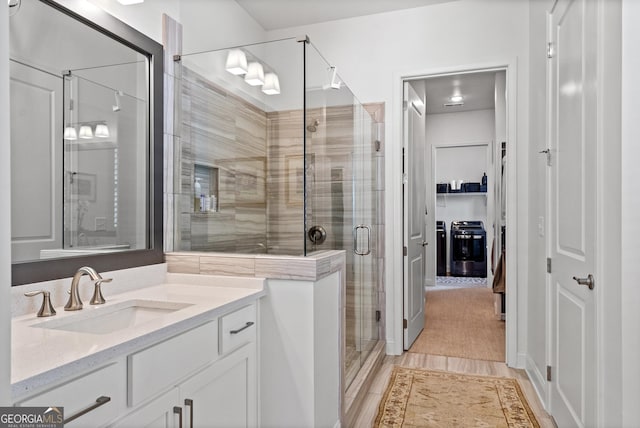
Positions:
{"x": 36, "y": 140}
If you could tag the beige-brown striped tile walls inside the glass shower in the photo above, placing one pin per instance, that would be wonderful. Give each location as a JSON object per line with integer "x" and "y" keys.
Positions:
{"x": 259, "y": 159}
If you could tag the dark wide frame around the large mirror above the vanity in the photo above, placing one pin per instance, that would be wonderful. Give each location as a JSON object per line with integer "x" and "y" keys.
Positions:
{"x": 45, "y": 270}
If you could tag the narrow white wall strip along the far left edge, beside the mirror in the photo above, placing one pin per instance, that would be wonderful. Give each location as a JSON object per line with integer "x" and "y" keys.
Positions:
{"x": 5, "y": 217}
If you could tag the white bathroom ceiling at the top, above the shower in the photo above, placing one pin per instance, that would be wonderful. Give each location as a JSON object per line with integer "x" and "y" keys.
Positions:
{"x": 277, "y": 14}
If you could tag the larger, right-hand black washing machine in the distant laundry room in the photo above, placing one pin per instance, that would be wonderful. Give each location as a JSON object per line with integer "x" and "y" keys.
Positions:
{"x": 468, "y": 249}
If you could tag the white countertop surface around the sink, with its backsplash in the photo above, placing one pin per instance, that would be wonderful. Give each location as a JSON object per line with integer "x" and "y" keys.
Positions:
{"x": 43, "y": 356}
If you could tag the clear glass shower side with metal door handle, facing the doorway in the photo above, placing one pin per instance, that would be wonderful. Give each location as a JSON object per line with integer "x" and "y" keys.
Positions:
{"x": 340, "y": 199}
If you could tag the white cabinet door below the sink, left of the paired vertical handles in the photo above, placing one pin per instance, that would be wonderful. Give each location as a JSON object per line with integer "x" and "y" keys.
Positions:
{"x": 159, "y": 413}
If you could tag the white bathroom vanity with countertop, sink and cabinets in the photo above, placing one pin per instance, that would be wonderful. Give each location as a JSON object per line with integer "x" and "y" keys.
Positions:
{"x": 152, "y": 356}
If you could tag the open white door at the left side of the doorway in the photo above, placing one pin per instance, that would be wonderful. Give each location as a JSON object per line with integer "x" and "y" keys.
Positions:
{"x": 414, "y": 218}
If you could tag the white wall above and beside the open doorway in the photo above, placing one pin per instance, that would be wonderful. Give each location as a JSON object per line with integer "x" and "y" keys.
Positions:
{"x": 374, "y": 52}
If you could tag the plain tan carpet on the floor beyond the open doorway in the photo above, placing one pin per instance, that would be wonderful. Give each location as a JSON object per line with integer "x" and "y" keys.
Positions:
{"x": 461, "y": 323}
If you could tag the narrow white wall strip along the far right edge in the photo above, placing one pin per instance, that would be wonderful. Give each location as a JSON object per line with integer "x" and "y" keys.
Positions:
{"x": 630, "y": 206}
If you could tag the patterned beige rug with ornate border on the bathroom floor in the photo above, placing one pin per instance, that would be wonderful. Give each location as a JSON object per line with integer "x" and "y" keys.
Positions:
{"x": 426, "y": 398}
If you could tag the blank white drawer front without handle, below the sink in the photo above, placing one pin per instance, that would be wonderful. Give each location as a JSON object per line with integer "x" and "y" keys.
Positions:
{"x": 152, "y": 370}
